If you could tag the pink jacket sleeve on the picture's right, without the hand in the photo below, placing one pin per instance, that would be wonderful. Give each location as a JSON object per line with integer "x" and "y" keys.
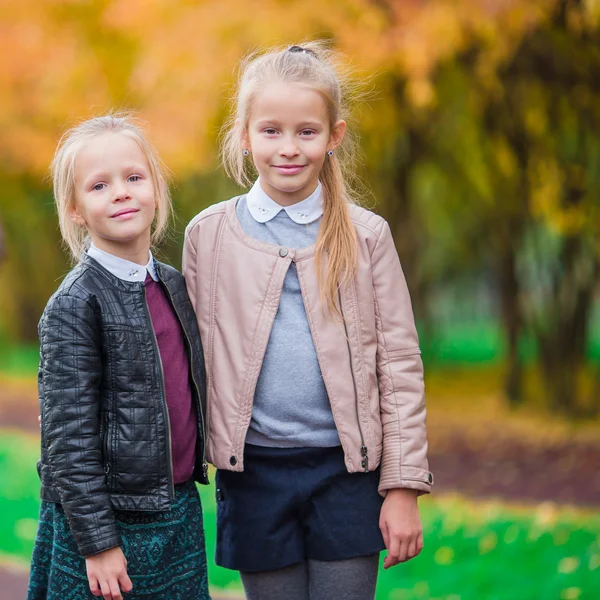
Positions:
{"x": 400, "y": 375}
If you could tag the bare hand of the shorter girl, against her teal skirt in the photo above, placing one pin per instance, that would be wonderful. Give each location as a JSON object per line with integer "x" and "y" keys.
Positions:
{"x": 107, "y": 574}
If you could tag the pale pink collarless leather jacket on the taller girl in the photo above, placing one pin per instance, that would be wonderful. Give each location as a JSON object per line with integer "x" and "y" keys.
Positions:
{"x": 370, "y": 362}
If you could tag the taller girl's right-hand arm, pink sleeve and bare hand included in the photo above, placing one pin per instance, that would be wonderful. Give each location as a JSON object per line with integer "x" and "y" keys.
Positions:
{"x": 404, "y": 468}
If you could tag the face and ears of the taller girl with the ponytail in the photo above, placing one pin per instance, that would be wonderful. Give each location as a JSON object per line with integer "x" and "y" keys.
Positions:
{"x": 289, "y": 134}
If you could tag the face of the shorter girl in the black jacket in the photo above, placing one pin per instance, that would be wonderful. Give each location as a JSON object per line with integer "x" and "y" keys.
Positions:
{"x": 115, "y": 197}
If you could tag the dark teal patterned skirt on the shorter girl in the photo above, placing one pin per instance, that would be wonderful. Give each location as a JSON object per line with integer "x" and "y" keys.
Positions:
{"x": 165, "y": 552}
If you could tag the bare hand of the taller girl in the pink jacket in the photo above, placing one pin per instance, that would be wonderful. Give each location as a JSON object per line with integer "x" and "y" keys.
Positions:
{"x": 401, "y": 527}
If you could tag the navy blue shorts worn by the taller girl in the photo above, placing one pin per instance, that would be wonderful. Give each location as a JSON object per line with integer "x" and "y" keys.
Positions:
{"x": 293, "y": 504}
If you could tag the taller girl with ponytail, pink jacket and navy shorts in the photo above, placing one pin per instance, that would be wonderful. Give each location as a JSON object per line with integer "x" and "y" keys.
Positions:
{"x": 315, "y": 400}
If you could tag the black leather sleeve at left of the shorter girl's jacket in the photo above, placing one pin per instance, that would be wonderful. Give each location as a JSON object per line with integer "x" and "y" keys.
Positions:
{"x": 71, "y": 369}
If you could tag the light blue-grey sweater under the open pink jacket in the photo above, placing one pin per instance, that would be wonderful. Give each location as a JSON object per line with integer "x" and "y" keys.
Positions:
{"x": 291, "y": 406}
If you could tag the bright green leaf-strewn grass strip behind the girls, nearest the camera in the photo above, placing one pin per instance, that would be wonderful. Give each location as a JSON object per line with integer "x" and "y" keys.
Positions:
{"x": 473, "y": 551}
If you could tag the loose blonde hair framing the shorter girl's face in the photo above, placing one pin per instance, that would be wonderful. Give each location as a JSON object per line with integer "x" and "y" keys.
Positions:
{"x": 71, "y": 143}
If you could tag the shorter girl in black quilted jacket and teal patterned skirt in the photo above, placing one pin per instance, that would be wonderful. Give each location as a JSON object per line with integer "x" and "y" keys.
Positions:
{"x": 121, "y": 387}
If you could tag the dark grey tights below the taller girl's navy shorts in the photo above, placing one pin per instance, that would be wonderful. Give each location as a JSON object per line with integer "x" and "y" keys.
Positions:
{"x": 351, "y": 579}
